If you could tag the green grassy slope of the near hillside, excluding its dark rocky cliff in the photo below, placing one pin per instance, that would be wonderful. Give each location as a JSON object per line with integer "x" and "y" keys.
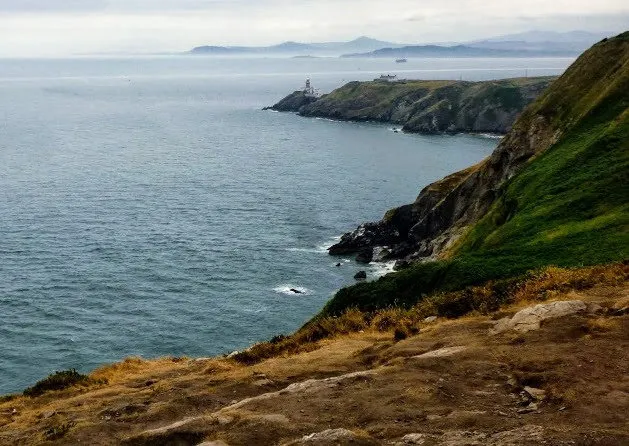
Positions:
{"x": 568, "y": 205}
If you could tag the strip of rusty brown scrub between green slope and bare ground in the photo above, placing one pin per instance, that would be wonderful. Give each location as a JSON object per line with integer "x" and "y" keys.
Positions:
{"x": 536, "y": 286}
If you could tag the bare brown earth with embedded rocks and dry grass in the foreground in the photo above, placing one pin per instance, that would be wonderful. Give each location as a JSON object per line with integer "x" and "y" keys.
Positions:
{"x": 366, "y": 389}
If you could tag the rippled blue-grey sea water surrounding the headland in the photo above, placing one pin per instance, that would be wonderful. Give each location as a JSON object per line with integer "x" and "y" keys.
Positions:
{"x": 149, "y": 207}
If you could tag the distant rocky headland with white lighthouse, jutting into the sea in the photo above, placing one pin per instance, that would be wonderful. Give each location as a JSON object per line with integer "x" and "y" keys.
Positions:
{"x": 425, "y": 106}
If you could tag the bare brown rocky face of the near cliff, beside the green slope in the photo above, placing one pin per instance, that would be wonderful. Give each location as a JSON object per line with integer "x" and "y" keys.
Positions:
{"x": 444, "y": 210}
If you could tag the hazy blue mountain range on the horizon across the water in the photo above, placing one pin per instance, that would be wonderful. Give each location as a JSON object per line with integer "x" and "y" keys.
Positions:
{"x": 527, "y": 44}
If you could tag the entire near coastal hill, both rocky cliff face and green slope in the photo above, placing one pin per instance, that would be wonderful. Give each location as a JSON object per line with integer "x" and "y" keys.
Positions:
{"x": 554, "y": 192}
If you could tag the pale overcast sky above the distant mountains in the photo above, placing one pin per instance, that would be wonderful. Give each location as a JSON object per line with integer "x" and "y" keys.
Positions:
{"x": 63, "y": 27}
